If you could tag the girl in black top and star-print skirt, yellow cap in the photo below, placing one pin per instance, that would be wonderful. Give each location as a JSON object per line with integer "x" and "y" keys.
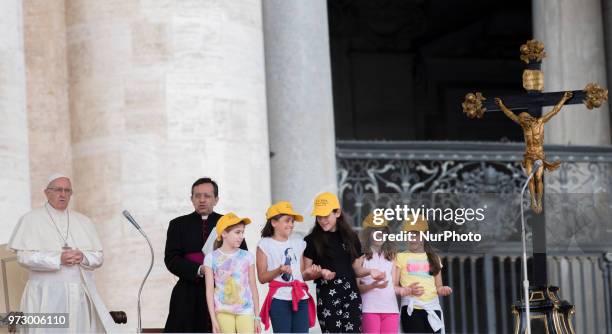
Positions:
{"x": 335, "y": 247}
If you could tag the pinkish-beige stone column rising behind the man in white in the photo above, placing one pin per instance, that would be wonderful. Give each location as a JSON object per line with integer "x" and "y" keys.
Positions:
{"x": 47, "y": 92}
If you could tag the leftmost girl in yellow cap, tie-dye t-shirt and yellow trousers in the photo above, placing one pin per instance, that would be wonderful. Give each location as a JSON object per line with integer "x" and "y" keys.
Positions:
{"x": 230, "y": 280}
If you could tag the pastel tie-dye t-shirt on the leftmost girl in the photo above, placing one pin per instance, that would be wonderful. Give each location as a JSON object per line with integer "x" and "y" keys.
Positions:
{"x": 231, "y": 275}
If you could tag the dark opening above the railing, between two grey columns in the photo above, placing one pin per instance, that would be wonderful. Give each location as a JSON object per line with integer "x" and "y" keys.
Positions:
{"x": 401, "y": 68}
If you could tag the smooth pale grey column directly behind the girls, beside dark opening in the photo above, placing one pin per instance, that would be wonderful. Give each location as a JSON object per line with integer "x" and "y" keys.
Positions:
{"x": 300, "y": 105}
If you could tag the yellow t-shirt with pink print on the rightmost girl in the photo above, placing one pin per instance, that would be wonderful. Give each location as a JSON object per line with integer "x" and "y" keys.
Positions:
{"x": 414, "y": 267}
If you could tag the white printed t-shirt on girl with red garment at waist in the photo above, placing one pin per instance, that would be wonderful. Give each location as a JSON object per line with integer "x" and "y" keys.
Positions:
{"x": 280, "y": 253}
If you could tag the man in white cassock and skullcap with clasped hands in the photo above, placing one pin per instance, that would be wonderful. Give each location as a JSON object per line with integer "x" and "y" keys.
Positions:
{"x": 60, "y": 248}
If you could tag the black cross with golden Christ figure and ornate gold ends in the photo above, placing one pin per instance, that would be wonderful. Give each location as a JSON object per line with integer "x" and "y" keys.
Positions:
{"x": 532, "y": 54}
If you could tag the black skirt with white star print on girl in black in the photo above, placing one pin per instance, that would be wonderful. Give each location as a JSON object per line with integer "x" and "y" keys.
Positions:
{"x": 339, "y": 305}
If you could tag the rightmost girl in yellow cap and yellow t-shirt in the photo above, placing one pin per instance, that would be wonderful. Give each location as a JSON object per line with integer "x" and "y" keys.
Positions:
{"x": 421, "y": 311}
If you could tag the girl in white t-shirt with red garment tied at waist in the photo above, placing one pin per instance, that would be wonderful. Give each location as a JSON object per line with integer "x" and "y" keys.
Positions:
{"x": 279, "y": 263}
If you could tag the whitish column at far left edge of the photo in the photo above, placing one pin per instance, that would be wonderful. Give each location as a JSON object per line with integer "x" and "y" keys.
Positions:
{"x": 14, "y": 158}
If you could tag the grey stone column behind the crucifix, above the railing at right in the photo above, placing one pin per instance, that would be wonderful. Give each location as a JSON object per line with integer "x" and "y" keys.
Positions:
{"x": 572, "y": 33}
